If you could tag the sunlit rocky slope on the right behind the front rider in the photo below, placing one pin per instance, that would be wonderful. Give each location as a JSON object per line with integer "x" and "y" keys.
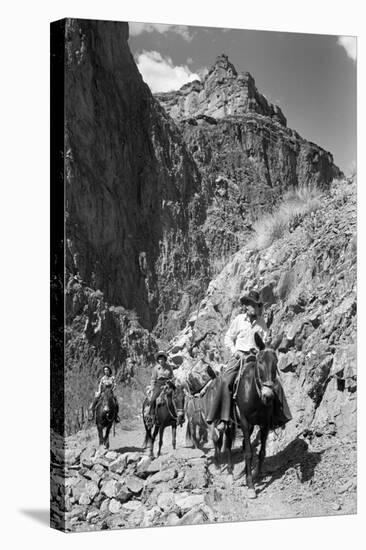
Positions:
{"x": 307, "y": 281}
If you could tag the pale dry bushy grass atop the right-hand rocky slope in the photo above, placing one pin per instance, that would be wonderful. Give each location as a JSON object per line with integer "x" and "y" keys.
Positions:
{"x": 295, "y": 205}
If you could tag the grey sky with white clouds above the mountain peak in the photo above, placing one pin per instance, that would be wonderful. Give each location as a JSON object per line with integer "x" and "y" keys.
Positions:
{"x": 311, "y": 77}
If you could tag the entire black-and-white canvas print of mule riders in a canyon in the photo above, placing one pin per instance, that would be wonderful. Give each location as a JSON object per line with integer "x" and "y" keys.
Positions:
{"x": 203, "y": 275}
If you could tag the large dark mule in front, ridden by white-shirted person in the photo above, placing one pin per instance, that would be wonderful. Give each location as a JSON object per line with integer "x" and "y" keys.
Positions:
{"x": 254, "y": 406}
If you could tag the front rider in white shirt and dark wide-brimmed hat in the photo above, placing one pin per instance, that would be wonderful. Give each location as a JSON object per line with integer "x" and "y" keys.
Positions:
{"x": 240, "y": 340}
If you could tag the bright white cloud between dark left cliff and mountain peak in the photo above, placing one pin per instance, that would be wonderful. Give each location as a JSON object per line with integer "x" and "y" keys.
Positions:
{"x": 160, "y": 74}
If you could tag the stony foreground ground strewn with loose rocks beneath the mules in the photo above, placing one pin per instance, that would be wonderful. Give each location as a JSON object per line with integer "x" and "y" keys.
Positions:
{"x": 123, "y": 487}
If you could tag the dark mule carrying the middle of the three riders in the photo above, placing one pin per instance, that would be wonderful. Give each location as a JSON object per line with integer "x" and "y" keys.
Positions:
{"x": 169, "y": 412}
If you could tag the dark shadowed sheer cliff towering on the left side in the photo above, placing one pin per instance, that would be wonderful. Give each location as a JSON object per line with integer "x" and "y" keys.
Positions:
{"x": 133, "y": 208}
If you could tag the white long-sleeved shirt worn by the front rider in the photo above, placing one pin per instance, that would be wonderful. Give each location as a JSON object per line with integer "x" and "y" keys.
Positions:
{"x": 240, "y": 336}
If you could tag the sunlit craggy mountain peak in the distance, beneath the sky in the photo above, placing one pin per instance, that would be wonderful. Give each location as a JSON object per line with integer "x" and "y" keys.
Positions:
{"x": 241, "y": 142}
